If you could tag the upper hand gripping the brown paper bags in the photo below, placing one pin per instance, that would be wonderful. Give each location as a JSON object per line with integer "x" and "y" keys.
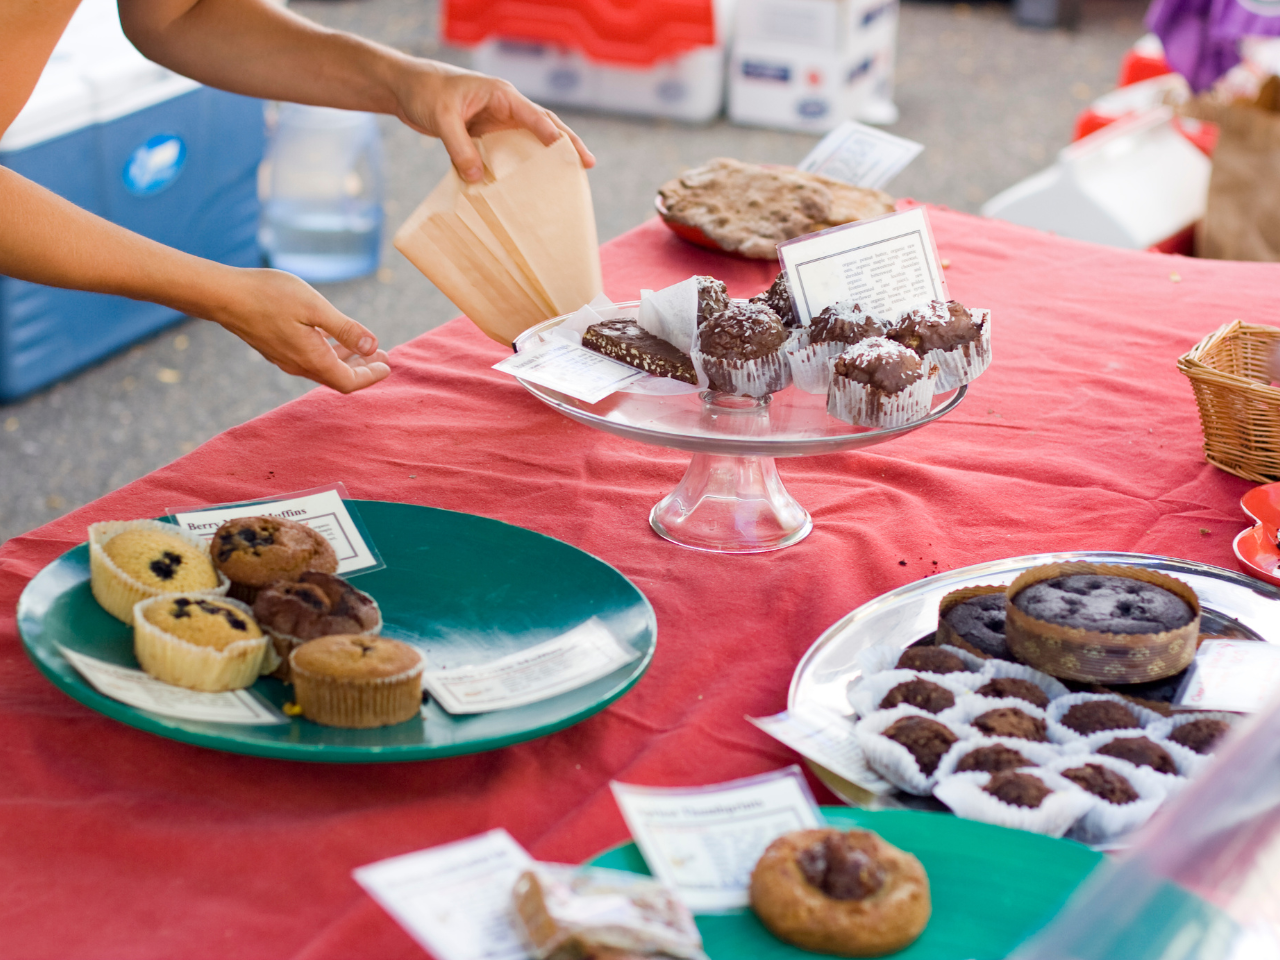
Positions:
{"x": 456, "y": 106}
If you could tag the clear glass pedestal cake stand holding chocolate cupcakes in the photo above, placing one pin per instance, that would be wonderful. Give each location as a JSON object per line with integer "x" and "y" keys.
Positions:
{"x": 732, "y": 499}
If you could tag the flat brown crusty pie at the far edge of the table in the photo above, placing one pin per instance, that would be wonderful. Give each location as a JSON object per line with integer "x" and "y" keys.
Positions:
{"x": 751, "y": 209}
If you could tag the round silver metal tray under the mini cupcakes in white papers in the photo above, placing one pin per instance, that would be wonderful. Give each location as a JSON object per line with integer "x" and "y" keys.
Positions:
{"x": 1233, "y": 606}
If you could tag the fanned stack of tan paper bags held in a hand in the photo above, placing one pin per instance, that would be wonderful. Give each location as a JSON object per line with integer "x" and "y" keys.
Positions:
{"x": 516, "y": 249}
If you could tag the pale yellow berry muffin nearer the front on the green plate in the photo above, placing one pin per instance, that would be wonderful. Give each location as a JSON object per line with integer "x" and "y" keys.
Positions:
{"x": 204, "y": 660}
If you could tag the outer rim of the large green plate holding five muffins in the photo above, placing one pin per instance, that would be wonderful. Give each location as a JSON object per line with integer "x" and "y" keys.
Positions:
{"x": 72, "y": 684}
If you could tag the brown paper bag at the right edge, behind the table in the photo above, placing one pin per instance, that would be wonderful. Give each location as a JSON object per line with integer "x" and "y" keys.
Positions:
{"x": 1242, "y": 221}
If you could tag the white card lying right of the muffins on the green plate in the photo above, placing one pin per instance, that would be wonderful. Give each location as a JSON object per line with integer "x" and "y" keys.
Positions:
{"x": 573, "y": 660}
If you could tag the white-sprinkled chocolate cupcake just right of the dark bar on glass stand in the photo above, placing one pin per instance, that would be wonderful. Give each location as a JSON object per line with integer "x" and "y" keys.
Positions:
{"x": 740, "y": 350}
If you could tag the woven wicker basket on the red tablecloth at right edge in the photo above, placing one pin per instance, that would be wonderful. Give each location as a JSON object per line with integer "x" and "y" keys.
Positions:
{"x": 1240, "y": 409}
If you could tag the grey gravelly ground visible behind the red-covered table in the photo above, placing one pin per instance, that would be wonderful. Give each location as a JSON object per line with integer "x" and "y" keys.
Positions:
{"x": 991, "y": 102}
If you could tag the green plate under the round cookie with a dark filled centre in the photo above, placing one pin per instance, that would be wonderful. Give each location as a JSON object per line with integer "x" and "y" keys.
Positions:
{"x": 1064, "y": 866}
